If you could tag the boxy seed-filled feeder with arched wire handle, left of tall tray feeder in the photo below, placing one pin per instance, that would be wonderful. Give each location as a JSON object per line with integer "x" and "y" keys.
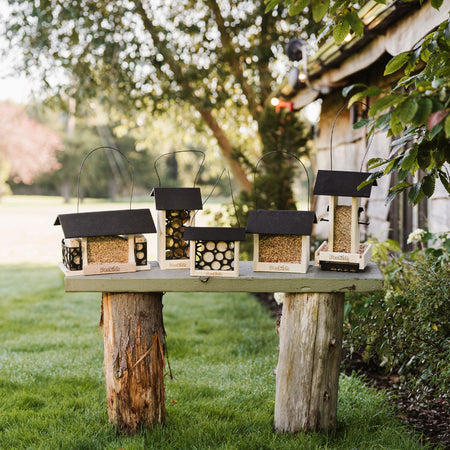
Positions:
{"x": 281, "y": 238}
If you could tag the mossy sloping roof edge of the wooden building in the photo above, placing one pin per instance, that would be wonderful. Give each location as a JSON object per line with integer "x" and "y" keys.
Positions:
{"x": 388, "y": 29}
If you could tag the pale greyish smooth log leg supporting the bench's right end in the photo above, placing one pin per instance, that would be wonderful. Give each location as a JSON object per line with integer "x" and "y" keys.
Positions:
{"x": 308, "y": 365}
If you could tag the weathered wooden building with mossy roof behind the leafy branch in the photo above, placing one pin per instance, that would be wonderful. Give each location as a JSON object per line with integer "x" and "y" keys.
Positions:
{"x": 389, "y": 30}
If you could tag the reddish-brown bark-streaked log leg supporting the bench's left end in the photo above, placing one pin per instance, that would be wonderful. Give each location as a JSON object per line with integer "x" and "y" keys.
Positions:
{"x": 133, "y": 333}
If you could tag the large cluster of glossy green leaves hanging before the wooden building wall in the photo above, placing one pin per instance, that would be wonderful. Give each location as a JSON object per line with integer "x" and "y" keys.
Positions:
{"x": 417, "y": 110}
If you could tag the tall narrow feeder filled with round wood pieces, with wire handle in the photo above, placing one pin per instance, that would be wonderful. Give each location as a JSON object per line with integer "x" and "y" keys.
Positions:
{"x": 175, "y": 208}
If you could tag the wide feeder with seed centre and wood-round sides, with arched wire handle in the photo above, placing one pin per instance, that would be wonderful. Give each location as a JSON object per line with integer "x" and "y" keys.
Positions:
{"x": 105, "y": 241}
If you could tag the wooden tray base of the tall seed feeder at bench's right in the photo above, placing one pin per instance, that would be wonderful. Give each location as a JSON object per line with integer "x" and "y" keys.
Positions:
{"x": 343, "y": 261}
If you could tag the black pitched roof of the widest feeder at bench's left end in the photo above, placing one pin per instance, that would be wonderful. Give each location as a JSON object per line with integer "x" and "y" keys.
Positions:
{"x": 106, "y": 223}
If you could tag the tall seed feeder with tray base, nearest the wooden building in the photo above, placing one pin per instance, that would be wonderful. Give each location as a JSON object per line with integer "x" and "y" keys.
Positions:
{"x": 343, "y": 250}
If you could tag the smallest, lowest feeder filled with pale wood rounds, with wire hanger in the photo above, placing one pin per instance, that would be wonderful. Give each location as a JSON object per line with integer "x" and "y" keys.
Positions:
{"x": 214, "y": 251}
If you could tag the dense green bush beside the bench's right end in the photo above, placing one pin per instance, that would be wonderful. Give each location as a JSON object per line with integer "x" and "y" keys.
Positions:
{"x": 406, "y": 328}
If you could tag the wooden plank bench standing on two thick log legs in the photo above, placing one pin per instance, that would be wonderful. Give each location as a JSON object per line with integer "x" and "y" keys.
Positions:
{"x": 310, "y": 338}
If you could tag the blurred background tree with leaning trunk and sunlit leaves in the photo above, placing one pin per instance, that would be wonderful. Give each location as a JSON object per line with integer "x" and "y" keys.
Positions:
{"x": 135, "y": 56}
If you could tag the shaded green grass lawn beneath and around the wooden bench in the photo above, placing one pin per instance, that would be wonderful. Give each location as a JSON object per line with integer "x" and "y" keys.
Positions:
{"x": 222, "y": 350}
